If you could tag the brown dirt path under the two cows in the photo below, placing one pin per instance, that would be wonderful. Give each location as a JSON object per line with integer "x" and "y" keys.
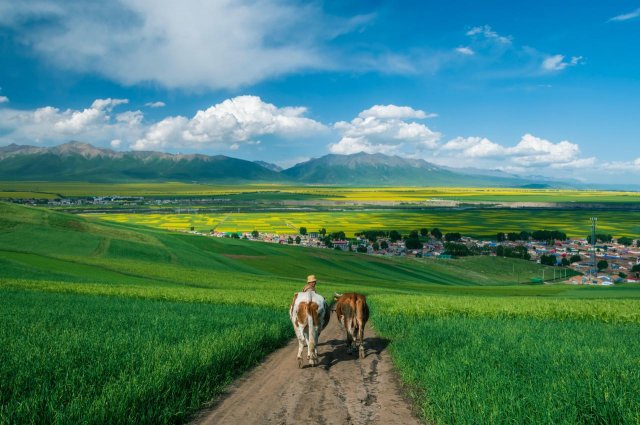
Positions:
{"x": 341, "y": 390}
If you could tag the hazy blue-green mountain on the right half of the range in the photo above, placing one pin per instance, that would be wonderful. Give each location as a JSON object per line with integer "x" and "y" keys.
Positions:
{"x": 365, "y": 169}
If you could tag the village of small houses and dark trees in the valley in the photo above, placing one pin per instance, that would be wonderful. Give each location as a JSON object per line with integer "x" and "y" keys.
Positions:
{"x": 616, "y": 260}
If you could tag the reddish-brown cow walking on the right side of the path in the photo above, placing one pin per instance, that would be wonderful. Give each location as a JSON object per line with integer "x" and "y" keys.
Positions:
{"x": 352, "y": 312}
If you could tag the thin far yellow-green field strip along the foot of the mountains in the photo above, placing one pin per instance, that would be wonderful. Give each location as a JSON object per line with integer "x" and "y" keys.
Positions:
{"x": 335, "y": 193}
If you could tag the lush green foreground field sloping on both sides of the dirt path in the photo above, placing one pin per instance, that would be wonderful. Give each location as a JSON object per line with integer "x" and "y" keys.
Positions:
{"x": 115, "y": 323}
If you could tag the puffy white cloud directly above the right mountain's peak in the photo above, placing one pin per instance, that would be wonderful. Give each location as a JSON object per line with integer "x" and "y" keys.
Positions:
{"x": 385, "y": 129}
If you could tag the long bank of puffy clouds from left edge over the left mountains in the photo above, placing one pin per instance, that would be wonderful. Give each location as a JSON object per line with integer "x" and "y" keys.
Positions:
{"x": 227, "y": 125}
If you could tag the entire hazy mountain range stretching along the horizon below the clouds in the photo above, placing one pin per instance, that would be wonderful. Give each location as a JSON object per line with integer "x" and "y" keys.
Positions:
{"x": 77, "y": 161}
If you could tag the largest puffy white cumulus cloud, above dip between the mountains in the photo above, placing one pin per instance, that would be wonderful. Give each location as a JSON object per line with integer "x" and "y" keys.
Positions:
{"x": 230, "y": 123}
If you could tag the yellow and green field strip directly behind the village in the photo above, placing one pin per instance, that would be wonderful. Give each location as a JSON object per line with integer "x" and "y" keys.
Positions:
{"x": 470, "y": 222}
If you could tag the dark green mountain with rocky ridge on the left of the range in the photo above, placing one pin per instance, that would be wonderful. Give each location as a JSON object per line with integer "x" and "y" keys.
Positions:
{"x": 84, "y": 162}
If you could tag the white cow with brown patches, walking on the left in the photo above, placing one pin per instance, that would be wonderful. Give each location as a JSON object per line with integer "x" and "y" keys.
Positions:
{"x": 310, "y": 314}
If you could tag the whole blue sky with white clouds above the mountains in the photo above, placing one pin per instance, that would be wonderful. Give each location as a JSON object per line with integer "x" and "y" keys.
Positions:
{"x": 531, "y": 88}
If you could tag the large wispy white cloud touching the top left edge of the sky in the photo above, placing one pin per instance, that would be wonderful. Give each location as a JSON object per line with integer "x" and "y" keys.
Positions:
{"x": 187, "y": 44}
